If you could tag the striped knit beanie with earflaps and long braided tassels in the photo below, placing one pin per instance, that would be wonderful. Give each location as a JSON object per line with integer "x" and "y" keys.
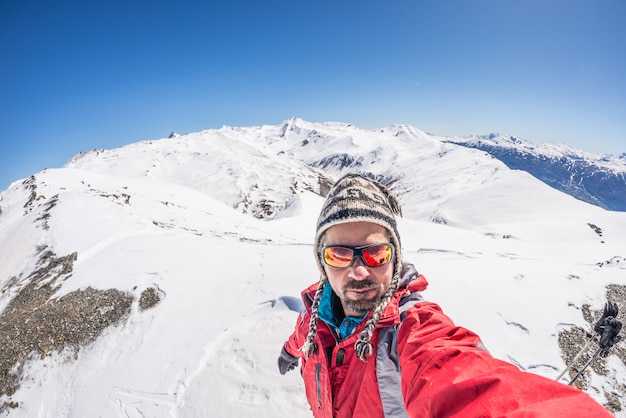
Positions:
{"x": 355, "y": 198}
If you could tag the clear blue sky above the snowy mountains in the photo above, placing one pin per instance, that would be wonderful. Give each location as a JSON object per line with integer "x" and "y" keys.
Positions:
{"x": 79, "y": 75}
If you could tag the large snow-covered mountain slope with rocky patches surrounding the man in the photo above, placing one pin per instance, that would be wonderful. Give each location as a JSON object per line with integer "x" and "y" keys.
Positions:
{"x": 161, "y": 278}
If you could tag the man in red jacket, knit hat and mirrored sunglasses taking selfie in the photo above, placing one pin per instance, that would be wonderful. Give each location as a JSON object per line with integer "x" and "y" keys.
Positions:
{"x": 371, "y": 347}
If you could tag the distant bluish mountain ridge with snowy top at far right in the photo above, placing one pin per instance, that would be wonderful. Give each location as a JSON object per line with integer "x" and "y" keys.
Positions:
{"x": 597, "y": 179}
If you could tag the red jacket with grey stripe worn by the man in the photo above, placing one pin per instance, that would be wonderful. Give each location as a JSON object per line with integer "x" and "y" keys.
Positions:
{"x": 438, "y": 370}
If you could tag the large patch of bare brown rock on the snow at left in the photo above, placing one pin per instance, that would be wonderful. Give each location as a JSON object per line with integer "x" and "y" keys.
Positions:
{"x": 35, "y": 323}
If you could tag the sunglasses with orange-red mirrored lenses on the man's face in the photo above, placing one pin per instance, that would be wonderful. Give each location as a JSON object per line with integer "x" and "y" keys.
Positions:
{"x": 373, "y": 255}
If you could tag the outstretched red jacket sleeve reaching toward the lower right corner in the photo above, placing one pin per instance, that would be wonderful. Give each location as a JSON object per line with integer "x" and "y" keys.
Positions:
{"x": 445, "y": 373}
